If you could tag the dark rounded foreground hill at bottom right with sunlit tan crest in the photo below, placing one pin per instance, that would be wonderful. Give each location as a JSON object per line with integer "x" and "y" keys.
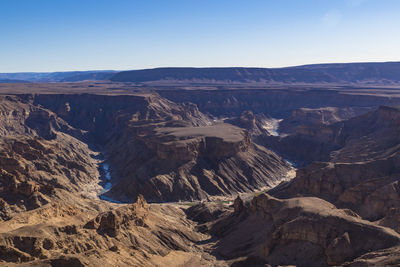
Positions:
{"x": 297, "y": 231}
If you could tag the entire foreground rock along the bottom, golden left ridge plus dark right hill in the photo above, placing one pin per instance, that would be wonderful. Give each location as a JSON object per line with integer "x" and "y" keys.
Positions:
{"x": 298, "y": 231}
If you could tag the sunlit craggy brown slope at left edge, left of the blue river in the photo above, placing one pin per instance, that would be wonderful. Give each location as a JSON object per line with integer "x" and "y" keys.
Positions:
{"x": 33, "y": 171}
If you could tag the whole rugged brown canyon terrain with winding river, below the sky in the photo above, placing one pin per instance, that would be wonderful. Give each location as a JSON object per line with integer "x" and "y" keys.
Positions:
{"x": 228, "y": 173}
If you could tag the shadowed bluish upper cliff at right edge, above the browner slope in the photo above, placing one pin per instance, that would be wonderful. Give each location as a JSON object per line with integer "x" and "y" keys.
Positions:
{"x": 373, "y": 135}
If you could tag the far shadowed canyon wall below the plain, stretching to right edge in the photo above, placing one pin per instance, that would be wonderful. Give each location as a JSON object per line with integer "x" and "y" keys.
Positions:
{"x": 276, "y": 103}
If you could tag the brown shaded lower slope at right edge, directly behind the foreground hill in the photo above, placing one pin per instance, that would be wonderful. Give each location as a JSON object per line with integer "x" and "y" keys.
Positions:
{"x": 370, "y": 188}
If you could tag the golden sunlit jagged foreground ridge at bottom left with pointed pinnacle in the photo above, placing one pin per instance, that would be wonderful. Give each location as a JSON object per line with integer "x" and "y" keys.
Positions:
{"x": 131, "y": 235}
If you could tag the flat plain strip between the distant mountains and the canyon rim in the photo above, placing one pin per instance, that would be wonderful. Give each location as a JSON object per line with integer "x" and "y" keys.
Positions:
{"x": 118, "y": 88}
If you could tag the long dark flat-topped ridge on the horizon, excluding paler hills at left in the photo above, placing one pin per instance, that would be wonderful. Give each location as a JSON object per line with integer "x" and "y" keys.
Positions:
{"x": 375, "y": 73}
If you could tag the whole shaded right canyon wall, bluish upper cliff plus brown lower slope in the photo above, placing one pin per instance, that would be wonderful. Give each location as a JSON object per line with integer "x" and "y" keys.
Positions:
{"x": 363, "y": 169}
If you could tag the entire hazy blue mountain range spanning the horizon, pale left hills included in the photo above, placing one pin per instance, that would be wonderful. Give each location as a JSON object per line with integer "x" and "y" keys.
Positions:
{"x": 386, "y": 73}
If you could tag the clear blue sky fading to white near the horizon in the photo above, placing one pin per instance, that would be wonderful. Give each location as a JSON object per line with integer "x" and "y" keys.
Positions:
{"x": 64, "y": 35}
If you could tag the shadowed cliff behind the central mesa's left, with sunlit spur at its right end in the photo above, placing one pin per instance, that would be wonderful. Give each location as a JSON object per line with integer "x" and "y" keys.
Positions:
{"x": 102, "y": 115}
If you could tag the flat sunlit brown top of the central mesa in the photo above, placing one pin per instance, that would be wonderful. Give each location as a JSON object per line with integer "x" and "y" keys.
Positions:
{"x": 227, "y": 132}
